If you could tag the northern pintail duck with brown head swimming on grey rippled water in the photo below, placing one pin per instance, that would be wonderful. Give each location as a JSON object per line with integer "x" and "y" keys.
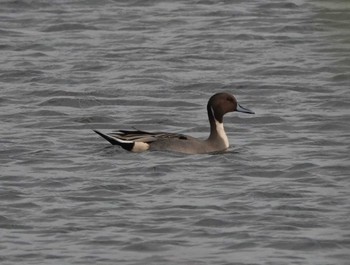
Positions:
{"x": 139, "y": 141}
